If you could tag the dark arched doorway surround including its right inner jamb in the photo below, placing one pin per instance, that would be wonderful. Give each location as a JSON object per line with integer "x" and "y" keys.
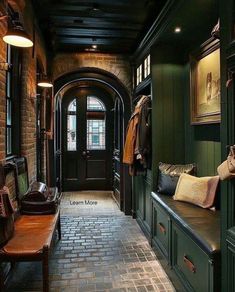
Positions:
{"x": 100, "y": 79}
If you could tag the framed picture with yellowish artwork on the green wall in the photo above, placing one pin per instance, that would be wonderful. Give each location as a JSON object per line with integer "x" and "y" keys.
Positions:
{"x": 205, "y": 84}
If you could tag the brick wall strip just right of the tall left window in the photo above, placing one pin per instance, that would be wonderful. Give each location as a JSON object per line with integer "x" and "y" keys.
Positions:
{"x": 28, "y": 106}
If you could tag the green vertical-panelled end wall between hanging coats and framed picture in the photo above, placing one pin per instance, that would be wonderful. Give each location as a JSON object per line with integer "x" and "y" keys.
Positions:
{"x": 167, "y": 111}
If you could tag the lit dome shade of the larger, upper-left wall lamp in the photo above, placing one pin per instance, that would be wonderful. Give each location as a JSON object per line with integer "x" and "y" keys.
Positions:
{"x": 16, "y": 36}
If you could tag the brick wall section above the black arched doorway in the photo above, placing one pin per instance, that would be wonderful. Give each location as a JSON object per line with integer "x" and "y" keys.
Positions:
{"x": 118, "y": 65}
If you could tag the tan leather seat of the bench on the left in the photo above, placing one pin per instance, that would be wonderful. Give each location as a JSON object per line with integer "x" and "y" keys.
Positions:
{"x": 31, "y": 234}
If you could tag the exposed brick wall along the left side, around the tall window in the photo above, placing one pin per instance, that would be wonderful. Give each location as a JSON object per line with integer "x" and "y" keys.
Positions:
{"x": 28, "y": 104}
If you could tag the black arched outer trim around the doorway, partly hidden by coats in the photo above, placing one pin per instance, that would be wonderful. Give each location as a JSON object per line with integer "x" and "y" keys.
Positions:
{"x": 112, "y": 83}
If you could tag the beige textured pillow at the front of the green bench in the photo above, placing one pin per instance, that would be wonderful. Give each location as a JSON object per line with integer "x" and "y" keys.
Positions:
{"x": 196, "y": 190}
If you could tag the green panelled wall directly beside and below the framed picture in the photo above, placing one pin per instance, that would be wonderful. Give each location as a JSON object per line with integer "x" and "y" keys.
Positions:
{"x": 202, "y": 142}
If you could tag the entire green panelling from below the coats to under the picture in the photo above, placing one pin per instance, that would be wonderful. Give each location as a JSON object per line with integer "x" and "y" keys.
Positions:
{"x": 174, "y": 139}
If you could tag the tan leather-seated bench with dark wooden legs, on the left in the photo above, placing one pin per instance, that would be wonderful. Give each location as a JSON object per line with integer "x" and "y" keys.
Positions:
{"x": 32, "y": 241}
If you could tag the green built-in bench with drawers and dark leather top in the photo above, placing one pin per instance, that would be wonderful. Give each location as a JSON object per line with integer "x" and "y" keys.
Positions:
{"x": 189, "y": 238}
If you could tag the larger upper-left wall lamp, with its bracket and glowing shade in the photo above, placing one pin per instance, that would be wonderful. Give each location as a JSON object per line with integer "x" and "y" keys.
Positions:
{"x": 16, "y": 35}
